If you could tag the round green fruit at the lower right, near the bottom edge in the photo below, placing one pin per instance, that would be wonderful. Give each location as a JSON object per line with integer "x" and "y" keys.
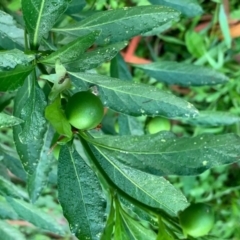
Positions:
{"x": 197, "y": 220}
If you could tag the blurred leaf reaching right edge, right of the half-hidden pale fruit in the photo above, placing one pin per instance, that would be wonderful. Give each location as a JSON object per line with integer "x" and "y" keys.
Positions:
{"x": 213, "y": 118}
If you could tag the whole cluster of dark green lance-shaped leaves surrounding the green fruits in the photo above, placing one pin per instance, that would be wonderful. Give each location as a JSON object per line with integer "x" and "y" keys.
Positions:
{"x": 109, "y": 185}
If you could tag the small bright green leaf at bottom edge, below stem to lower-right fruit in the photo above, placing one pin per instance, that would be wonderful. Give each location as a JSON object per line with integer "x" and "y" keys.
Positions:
{"x": 136, "y": 229}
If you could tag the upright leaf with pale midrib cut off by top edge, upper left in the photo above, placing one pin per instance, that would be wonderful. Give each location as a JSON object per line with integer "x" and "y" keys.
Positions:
{"x": 40, "y": 16}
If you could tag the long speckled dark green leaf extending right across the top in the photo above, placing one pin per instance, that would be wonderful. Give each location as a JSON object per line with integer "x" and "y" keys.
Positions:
{"x": 122, "y": 24}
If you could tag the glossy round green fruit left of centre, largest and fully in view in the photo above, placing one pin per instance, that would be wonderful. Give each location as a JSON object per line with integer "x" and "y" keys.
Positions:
{"x": 84, "y": 110}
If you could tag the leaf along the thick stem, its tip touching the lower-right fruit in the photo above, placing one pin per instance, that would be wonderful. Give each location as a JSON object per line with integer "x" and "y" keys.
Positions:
{"x": 151, "y": 190}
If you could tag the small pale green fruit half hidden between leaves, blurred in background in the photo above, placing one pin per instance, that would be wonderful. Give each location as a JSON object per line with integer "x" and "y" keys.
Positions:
{"x": 158, "y": 124}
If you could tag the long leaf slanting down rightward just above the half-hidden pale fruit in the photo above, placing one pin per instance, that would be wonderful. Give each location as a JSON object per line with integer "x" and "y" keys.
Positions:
{"x": 137, "y": 99}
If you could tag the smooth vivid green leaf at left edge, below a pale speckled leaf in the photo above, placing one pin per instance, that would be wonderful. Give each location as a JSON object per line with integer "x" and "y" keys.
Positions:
{"x": 13, "y": 79}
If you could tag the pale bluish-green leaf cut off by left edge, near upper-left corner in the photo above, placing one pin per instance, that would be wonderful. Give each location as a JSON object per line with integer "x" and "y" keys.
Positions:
{"x": 11, "y": 36}
